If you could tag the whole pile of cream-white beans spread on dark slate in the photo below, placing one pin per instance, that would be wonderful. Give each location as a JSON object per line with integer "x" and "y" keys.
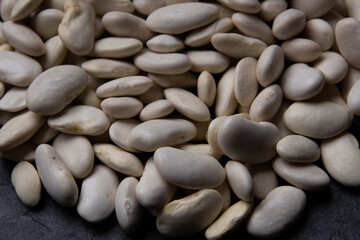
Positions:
{"x": 226, "y": 97}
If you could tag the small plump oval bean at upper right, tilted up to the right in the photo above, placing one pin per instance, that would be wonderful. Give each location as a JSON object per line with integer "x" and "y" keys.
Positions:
{"x": 288, "y": 24}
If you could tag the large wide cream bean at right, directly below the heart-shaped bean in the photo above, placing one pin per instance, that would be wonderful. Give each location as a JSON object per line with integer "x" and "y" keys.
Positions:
{"x": 330, "y": 120}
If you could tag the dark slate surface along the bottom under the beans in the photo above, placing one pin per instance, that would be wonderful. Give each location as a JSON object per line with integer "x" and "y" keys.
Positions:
{"x": 334, "y": 214}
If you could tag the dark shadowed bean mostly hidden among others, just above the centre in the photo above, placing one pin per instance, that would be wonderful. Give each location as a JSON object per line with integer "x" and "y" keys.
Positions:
{"x": 183, "y": 80}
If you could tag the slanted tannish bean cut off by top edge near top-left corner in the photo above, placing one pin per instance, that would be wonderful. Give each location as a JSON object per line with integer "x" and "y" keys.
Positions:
{"x": 23, "y": 9}
